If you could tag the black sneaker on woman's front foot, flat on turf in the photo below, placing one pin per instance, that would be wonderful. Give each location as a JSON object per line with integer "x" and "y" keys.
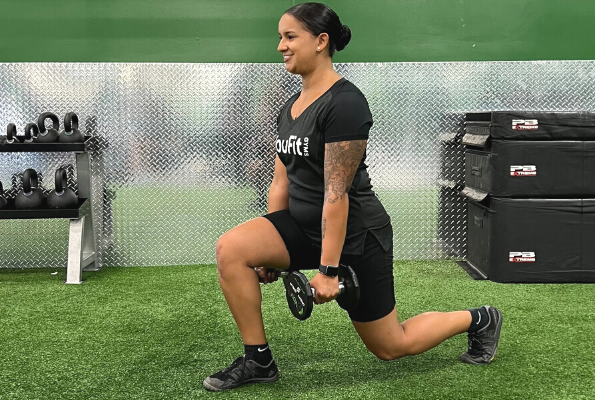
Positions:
{"x": 240, "y": 372}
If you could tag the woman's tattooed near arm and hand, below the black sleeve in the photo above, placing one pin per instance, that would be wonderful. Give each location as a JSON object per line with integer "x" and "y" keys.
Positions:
{"x": 341, "y": 162}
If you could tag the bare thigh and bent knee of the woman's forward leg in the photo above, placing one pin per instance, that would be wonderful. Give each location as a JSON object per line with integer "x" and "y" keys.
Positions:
{"x": 256, "y": 242}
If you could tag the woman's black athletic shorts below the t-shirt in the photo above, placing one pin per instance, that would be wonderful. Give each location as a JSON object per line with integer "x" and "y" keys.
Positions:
{"x": 374, "y": 268}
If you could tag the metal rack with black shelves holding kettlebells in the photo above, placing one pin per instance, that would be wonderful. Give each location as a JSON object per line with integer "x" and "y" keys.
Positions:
{"x": 82, "y": 241}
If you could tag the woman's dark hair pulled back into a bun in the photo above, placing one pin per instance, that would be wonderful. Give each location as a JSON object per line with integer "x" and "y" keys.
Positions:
{"x": 318, "y": 18}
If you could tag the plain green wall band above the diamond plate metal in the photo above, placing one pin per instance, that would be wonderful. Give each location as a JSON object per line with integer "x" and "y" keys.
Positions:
{"x": 246, "y": 30}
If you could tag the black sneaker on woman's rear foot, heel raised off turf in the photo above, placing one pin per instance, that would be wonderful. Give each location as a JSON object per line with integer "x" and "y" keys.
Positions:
{"x": 484, "y": 343}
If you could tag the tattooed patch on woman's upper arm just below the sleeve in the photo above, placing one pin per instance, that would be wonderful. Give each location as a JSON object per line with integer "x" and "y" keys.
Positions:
{"x": 341, "y": 162}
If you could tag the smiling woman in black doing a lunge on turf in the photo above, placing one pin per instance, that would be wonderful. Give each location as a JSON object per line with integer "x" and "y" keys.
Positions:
{"x": 321, "y": 209}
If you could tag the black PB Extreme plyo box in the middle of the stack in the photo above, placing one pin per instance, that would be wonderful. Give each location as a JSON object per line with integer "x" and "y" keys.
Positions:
{"x": 535, "y": 169}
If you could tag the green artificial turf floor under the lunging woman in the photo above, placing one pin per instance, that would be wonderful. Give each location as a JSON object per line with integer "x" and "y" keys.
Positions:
{"x": 156, "y": 332}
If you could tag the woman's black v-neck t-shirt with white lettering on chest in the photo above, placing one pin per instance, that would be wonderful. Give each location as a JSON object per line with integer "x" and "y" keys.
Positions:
{"x": 340, "y": 114}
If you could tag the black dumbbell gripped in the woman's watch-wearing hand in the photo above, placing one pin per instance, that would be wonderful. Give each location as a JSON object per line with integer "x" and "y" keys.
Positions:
{"x": 300, "y": 295}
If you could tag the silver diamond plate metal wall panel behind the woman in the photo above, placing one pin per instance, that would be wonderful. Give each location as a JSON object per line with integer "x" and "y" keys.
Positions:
{"x": 186, "y": 150}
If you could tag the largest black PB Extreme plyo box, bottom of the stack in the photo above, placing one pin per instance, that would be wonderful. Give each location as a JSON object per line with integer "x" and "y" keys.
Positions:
{"x": 532, "y": 240}
